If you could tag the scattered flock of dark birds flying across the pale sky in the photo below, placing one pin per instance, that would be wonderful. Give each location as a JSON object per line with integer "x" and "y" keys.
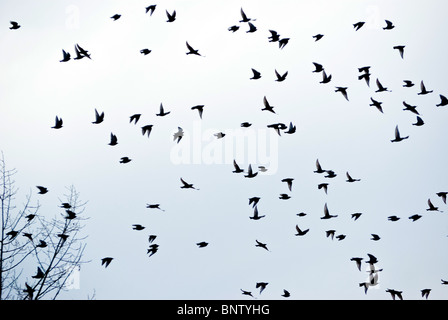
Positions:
{"x": 365, "y": 75}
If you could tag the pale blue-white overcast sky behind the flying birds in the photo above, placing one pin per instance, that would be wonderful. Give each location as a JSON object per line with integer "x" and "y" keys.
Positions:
{"x": 396, "y": 178}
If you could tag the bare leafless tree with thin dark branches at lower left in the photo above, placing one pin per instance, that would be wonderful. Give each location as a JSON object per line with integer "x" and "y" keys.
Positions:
{"x": 53, "y": 246}
